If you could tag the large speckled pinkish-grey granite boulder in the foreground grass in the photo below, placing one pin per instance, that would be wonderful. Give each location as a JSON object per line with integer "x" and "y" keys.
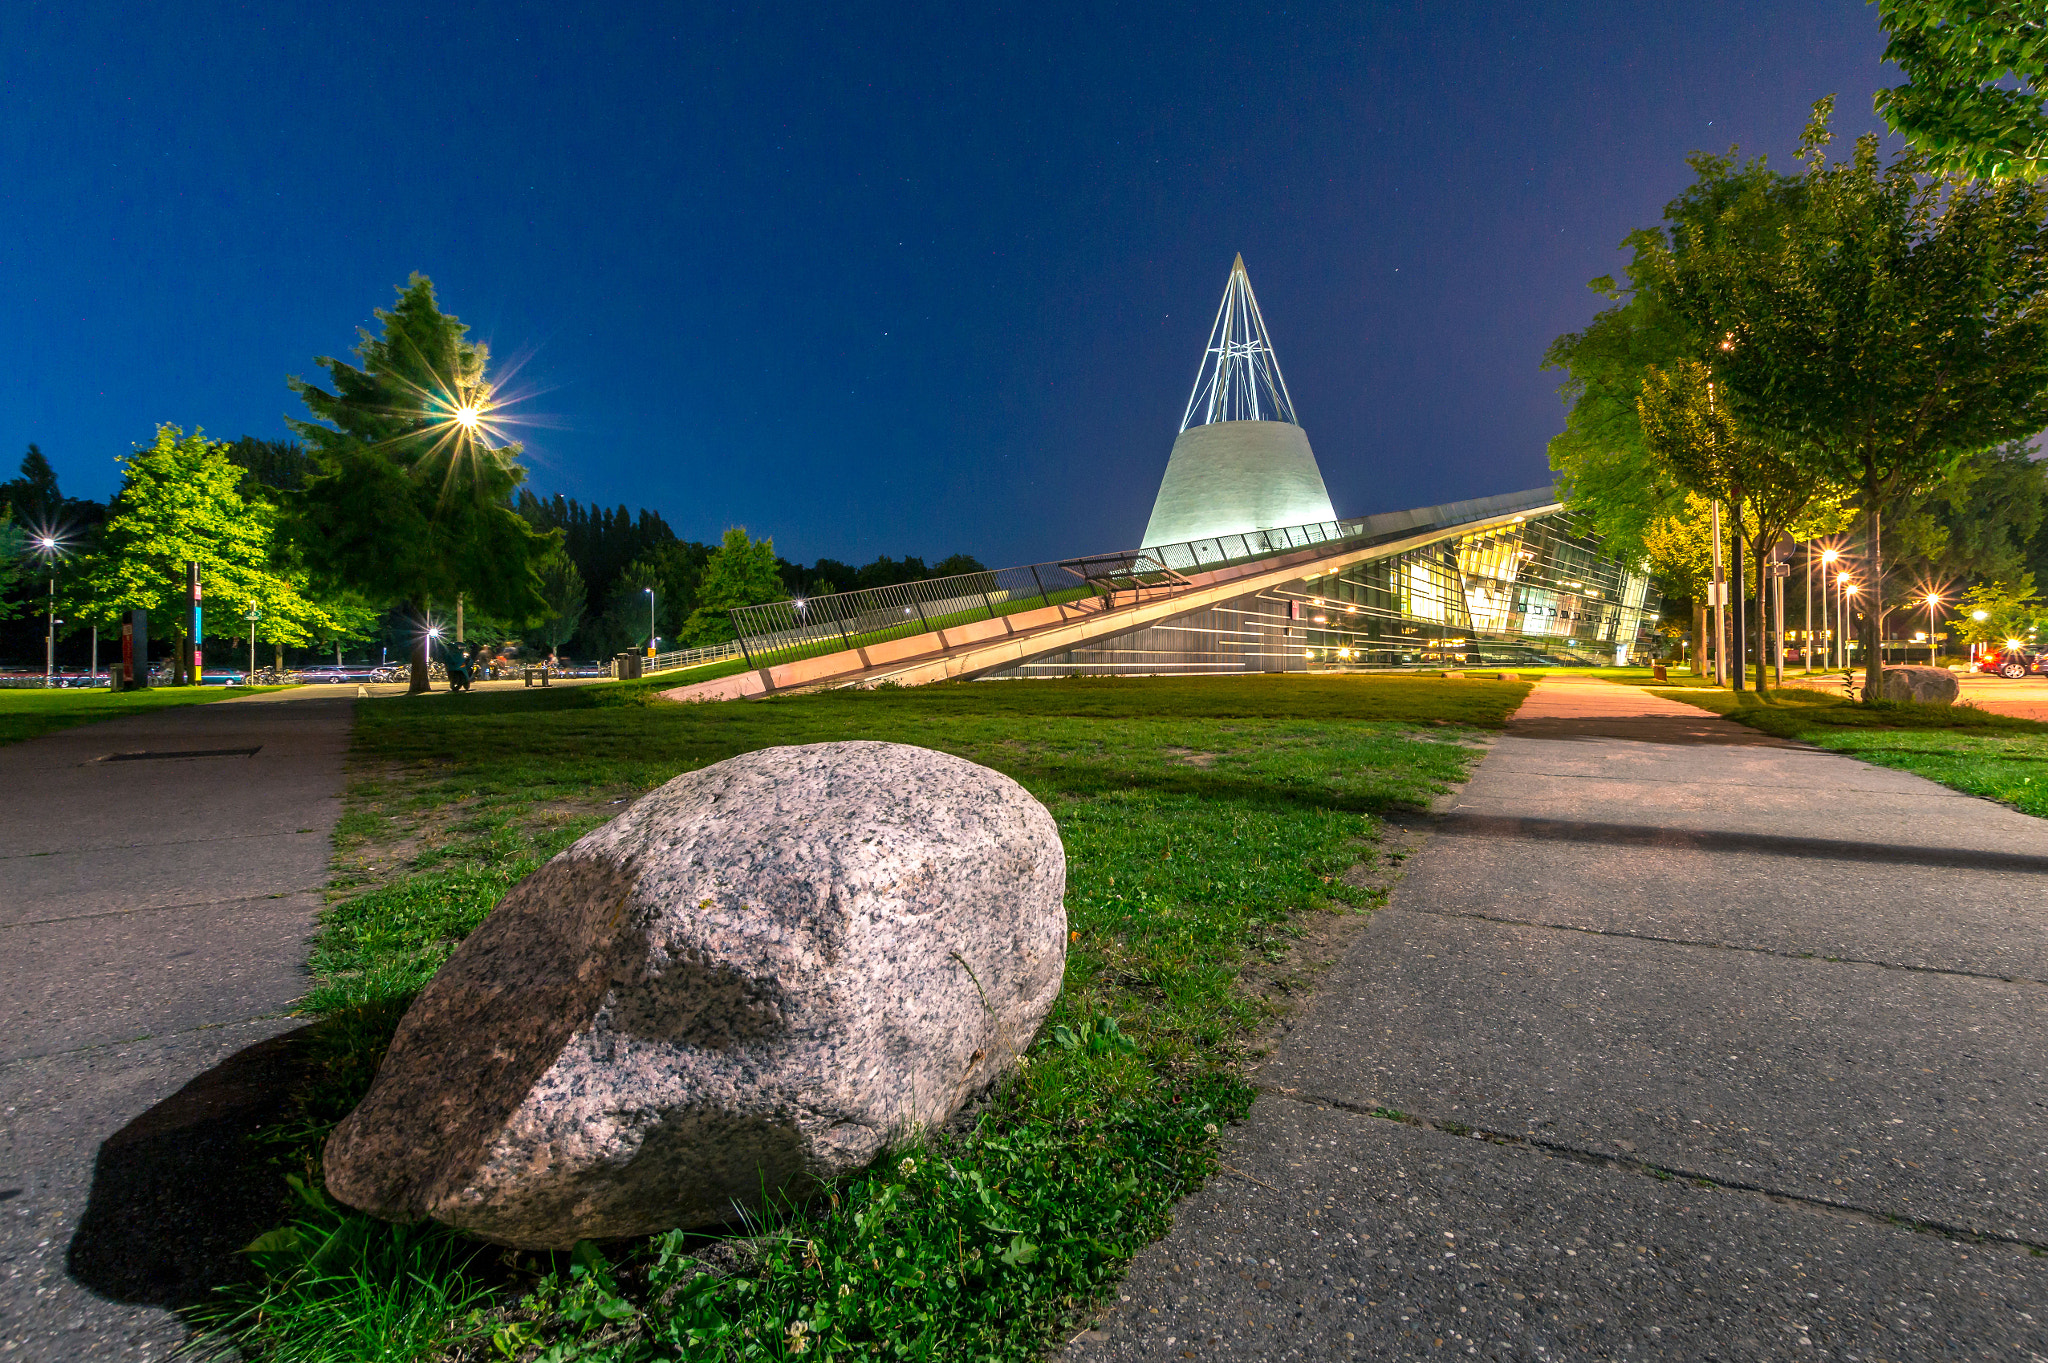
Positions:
{"x": 757, "y": 979}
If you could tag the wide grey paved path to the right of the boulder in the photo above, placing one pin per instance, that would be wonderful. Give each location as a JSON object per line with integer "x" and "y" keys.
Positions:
{"x": 1736, "y": 1014}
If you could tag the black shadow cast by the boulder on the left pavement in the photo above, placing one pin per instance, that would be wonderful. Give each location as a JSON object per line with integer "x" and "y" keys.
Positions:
{"x": 181, "y": 1190}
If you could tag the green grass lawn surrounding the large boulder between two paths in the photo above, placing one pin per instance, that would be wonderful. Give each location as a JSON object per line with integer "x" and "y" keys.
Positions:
{"x": 1213, "y": 834}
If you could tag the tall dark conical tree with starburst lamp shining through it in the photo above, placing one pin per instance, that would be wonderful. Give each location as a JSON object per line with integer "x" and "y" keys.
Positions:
{"x": 409, "y": 500}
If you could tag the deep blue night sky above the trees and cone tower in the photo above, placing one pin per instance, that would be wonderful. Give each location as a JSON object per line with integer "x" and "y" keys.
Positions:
{"x": 869, "y": 279}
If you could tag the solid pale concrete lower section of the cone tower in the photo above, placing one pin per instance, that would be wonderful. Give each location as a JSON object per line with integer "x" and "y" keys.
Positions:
{"x": 1238, "y": 476}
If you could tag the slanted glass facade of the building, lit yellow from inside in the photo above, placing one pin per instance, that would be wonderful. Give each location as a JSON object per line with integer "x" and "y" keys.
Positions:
{"x": 1531, "y": 592}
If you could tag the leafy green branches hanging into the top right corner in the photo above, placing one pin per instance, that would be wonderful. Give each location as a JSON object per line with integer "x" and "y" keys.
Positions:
{"x": 1973, "y": 95}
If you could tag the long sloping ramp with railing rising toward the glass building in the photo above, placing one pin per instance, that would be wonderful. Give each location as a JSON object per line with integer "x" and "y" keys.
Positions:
{"x": 980, "y": 623}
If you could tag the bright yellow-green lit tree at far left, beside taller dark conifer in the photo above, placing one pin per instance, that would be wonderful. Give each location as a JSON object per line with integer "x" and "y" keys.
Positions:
{"x": 181, "y": 502}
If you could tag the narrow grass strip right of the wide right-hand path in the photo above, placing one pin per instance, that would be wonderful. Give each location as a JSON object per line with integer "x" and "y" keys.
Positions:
{"x": 1963, "y": 748}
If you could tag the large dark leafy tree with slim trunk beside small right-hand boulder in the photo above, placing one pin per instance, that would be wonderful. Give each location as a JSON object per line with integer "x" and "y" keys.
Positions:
{"x": 1875, "y": 324}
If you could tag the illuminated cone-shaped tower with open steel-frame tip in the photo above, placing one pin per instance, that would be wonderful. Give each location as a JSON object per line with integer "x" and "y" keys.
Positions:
{"x": 1240, "y": 461}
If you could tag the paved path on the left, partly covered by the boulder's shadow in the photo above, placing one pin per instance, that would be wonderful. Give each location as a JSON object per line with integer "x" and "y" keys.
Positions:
{"x": 153, "y": 920}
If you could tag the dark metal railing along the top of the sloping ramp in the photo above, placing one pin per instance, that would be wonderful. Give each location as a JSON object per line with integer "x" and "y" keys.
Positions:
{"x": 812, "y": 627}
